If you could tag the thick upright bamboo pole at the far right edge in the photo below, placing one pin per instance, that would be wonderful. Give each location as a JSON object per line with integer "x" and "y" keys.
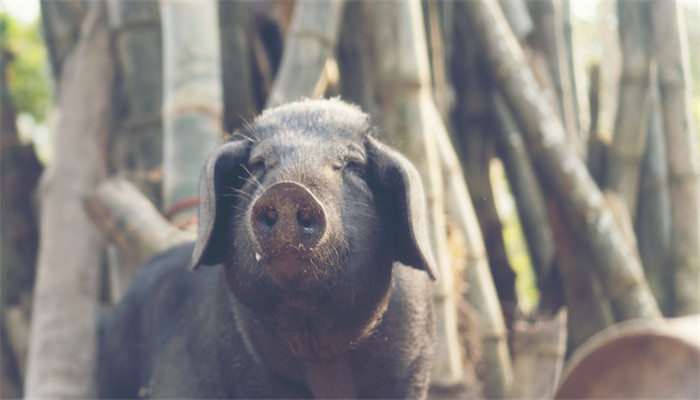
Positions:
{"x": 681, "y": 149}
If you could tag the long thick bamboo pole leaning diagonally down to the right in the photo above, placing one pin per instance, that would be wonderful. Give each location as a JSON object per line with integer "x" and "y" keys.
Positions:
{"x": 562, "y": 170}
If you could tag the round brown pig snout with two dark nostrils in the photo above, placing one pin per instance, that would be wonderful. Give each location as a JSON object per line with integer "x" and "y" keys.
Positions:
{"x": 288, "y": 220}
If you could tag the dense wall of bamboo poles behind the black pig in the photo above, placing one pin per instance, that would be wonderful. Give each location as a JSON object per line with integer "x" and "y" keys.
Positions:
{"x": 146, "y": 89}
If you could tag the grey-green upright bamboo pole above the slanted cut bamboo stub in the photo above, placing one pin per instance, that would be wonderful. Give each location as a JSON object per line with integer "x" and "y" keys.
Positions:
{"x": 137, "y": 137}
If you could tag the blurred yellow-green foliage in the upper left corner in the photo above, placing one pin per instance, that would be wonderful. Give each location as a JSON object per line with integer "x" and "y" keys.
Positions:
{"x": 28, "y": 78}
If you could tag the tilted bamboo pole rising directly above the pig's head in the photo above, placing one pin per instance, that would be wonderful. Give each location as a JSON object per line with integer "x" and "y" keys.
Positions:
{"x": 311, "y": 41}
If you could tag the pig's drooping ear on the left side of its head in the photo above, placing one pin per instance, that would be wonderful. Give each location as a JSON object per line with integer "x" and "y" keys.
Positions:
{"x": 224, "y": 169}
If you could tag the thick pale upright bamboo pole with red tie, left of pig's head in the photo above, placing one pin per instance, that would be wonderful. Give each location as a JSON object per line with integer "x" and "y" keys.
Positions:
{"x": 192, "y": 99}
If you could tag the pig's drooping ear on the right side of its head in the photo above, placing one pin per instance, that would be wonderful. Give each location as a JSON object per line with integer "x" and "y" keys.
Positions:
{"x": 397, "y": 185}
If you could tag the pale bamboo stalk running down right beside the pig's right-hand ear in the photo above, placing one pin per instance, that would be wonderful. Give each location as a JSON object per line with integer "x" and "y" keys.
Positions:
{"x": 403, "y": 86}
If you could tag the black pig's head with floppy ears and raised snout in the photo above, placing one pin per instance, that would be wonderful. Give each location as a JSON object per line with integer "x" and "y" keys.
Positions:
{"x": 310, "y": 208}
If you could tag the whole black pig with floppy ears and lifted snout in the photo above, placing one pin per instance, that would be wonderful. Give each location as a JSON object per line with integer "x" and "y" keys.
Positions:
{"x": 321, "y": 286}
